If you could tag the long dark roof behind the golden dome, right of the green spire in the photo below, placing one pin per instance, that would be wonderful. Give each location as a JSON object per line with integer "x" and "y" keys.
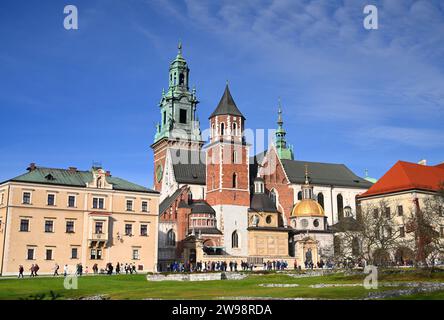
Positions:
{"x": 323, "y": 174}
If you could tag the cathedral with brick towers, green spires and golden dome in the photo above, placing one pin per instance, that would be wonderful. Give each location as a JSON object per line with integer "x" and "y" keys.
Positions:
{"x": 219, "y": 203}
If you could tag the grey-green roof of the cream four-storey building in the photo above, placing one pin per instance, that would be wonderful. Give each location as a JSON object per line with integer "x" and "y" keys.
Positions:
{"x": 74, "y": 178}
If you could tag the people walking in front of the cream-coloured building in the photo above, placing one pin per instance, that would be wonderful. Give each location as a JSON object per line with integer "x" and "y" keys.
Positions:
{"x": 128, "y": 268}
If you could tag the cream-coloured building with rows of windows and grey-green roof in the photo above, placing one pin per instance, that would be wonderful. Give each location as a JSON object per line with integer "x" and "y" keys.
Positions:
{"x": 50, "y": 216}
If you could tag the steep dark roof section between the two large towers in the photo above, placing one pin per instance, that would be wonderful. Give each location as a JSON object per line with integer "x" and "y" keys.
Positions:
{"x": 189, "y": 167}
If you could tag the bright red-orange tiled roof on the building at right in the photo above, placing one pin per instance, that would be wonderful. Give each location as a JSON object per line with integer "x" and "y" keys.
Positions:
{"x": 405, "y": 176}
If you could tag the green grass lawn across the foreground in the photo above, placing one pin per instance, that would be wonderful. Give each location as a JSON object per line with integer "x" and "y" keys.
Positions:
{"x": 137, "y": 287}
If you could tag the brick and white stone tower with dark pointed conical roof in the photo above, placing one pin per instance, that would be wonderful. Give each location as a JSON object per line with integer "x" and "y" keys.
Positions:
{"x": 227, "y": 176}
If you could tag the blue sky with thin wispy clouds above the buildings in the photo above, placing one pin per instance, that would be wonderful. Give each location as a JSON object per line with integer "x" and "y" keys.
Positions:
{"x": 350, "y": 95}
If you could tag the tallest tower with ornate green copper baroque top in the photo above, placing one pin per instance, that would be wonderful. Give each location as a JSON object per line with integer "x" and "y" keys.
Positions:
{"x": 179, "y": 126}
